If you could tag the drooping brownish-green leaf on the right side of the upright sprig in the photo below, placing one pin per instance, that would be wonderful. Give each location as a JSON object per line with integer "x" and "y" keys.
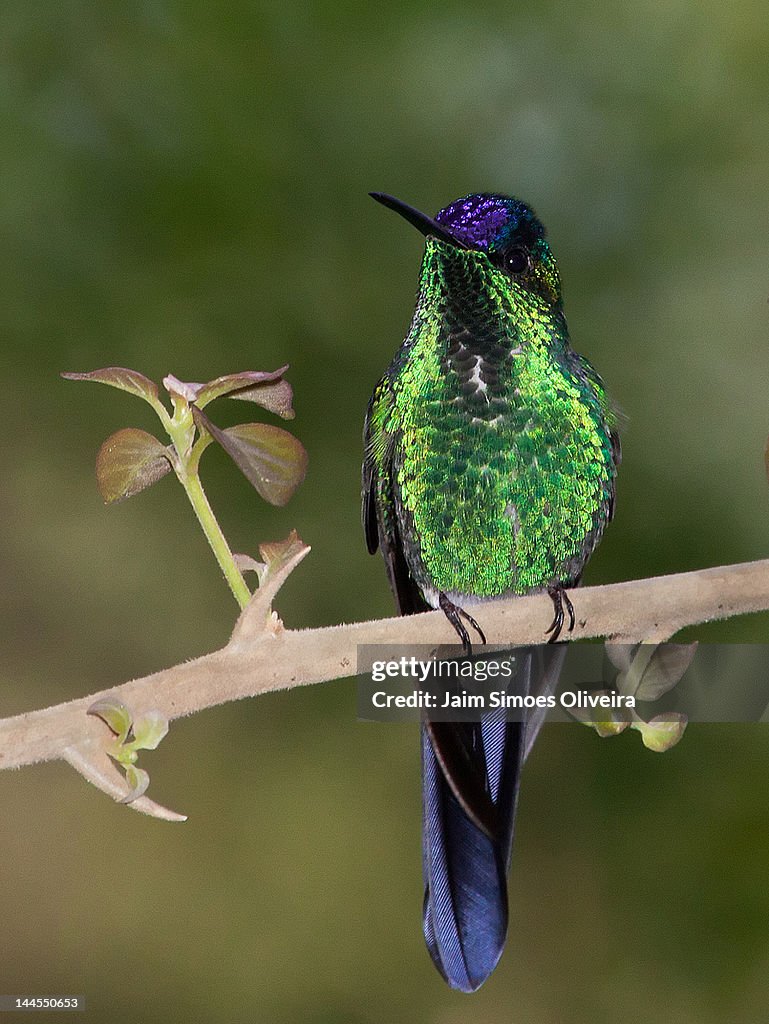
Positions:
{"x": 272, "y": 459}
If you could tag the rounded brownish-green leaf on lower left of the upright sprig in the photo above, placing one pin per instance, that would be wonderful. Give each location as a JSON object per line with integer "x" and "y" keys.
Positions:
{"x": 129, "y": 462}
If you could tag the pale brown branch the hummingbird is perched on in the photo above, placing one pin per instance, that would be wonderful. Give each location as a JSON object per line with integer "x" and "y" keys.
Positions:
{"x": 263, "y": 656}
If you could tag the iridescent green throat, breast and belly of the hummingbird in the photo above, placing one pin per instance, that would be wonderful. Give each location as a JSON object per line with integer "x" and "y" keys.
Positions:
{"x": 500, "y": 451}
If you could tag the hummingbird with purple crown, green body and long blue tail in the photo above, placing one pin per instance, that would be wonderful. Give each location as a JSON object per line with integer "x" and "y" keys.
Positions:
{"x": 491, "y": 458}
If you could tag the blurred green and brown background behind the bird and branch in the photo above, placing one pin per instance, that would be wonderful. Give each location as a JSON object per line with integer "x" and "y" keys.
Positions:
{"x": 184, "y": 189}
